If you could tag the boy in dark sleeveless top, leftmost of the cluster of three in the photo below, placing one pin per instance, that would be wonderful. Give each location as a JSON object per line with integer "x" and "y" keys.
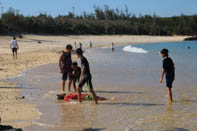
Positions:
{"x": 65, "y": 63}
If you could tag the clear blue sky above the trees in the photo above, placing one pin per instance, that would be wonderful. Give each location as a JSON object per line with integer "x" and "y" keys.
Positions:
{"x": 163, "y": 8}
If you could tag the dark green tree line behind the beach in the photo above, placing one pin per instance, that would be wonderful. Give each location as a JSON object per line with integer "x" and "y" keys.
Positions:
{"x": 101, "y": 21}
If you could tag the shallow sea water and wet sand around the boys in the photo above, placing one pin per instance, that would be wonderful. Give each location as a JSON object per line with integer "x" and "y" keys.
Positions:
{"x": 133, "y": 79}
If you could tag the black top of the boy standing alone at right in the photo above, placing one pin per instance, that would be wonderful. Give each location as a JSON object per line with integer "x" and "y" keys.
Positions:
{"x": 168, "y": 66}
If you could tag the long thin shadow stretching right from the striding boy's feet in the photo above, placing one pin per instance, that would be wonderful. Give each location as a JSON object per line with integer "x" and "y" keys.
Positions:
{"x": 133, "y": 104}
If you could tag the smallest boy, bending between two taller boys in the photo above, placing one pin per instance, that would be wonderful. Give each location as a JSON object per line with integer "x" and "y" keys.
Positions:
{"x": 76, "y": 74}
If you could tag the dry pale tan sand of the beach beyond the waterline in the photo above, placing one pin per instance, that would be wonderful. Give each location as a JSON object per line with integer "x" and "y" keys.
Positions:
{"x": 17, "y": 112}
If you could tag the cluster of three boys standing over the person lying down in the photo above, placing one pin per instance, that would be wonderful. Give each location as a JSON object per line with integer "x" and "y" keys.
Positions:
{"x": 70, "y": 71}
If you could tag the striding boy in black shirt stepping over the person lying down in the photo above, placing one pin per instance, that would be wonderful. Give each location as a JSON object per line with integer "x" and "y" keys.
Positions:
{"x": 85, "y": 76}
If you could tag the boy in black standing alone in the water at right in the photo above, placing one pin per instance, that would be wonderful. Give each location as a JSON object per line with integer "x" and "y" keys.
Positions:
{"x": 168, "y": 71}
